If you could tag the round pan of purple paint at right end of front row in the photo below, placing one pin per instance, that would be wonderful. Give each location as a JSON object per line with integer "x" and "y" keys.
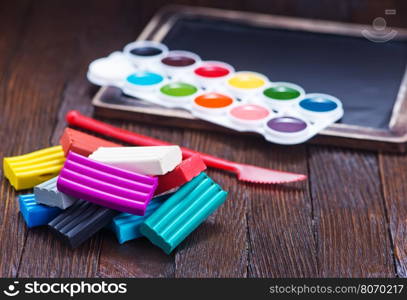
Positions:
{"x": 286, "y": 127}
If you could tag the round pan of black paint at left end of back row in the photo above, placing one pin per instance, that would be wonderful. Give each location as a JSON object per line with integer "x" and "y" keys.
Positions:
{"x": 142, "y": 53}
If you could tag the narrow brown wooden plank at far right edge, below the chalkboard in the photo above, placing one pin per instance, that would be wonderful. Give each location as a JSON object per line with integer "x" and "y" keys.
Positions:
{"x": 393, "y": 171}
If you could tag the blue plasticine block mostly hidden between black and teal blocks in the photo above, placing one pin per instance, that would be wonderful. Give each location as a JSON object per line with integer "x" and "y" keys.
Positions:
{"x": 126, "y": 226}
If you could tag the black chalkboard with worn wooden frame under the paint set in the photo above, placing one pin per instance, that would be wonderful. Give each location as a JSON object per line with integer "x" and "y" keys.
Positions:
{"x": 321, "y": 56}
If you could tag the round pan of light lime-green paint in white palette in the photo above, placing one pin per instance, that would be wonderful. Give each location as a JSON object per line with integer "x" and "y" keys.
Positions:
{"x": 178, "y": 92}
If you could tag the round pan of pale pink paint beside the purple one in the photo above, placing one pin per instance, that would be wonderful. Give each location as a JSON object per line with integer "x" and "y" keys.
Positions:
{"x": 249, "y": 115}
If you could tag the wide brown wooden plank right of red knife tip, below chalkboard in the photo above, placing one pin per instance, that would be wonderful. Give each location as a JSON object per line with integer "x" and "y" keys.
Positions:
{"x": 349, "y": 215}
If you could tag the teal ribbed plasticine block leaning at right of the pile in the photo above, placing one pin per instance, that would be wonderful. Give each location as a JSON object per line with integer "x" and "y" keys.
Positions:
{"x": 183, "y": 212}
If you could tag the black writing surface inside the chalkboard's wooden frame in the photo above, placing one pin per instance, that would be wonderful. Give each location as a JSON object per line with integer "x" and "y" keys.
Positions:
{"x": 365, "y": 75}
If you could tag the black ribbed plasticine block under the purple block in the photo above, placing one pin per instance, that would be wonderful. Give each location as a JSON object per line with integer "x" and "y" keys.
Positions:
{"x": 79, "y": 222}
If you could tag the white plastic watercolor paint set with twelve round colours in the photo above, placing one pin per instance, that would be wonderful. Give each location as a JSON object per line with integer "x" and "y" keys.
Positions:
{"x": 213, "y": 91}
